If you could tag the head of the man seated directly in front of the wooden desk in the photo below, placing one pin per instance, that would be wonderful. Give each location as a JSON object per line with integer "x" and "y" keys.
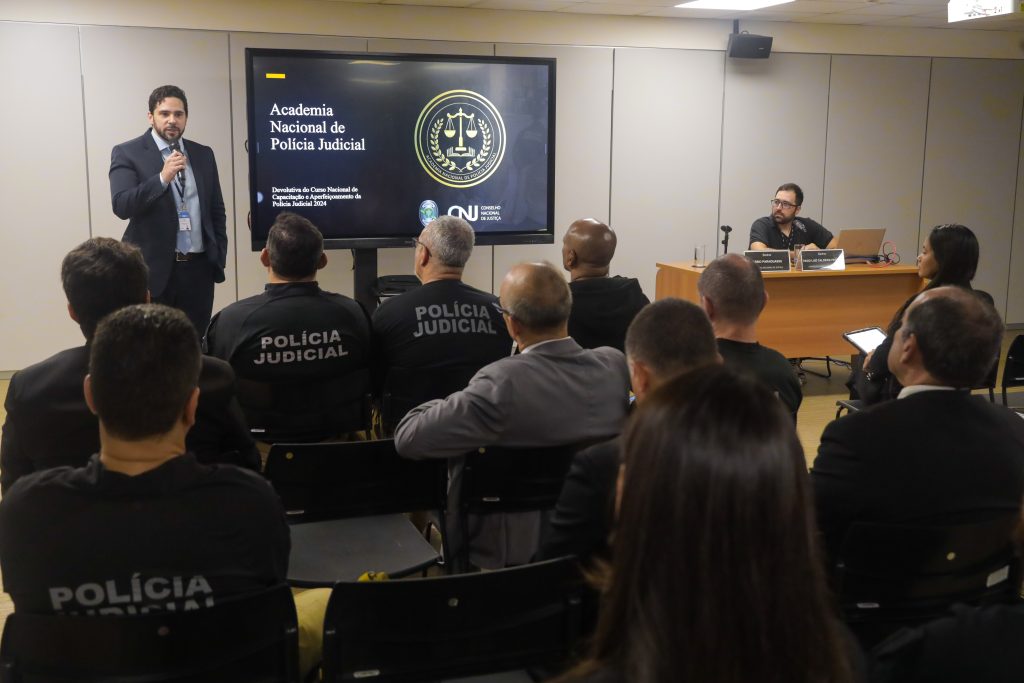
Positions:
{"x": 735, "y": 285}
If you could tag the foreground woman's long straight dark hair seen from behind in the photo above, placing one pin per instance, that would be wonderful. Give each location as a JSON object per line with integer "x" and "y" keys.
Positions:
{"x": 716, "y": 576}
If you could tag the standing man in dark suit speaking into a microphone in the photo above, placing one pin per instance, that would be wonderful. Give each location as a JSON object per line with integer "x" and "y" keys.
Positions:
{"x": 169, "y": 191}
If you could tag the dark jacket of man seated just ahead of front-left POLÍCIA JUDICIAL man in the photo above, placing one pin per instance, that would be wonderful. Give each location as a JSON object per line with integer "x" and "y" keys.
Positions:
{"x": 49, "y": 423}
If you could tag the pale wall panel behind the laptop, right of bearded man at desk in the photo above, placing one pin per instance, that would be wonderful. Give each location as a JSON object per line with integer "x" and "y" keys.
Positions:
{"x": 878, "y": 109}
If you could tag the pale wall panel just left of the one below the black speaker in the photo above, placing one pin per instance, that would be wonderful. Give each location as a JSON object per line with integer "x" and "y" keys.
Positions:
{"x": 666, "y": 158}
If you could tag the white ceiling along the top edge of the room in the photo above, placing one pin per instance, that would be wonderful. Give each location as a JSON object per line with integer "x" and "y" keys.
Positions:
{"x": 919, "y": 14}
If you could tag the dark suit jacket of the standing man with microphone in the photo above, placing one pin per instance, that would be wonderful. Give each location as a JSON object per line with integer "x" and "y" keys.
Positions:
{"x": 138, "y": 195}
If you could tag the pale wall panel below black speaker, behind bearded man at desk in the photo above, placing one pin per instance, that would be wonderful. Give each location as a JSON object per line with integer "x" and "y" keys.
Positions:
{"x": 774, "y": 133}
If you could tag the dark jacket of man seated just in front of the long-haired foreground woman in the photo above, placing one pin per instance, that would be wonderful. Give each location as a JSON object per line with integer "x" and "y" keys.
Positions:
{"x": 583, "y": 518}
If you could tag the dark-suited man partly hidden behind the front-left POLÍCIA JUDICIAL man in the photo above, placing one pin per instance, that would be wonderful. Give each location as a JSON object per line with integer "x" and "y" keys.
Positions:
{"x": 49, "y": 423}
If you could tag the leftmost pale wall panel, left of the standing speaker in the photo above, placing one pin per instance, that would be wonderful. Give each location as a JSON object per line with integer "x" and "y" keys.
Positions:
{"x": 42, "y": 188}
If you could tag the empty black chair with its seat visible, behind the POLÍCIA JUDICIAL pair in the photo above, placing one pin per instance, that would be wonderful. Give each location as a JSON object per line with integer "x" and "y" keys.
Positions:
{"x": 346, "y": 502}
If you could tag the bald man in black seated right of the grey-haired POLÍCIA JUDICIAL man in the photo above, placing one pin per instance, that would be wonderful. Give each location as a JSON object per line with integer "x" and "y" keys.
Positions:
{"x": 604, "y": 307}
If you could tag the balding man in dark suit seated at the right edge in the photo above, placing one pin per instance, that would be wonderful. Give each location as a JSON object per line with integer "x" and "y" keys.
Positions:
{"x": 936, "y": 455}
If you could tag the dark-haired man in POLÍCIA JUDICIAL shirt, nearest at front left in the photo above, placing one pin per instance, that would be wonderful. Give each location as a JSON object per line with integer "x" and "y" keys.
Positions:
{"x": 143, "y": 527}
